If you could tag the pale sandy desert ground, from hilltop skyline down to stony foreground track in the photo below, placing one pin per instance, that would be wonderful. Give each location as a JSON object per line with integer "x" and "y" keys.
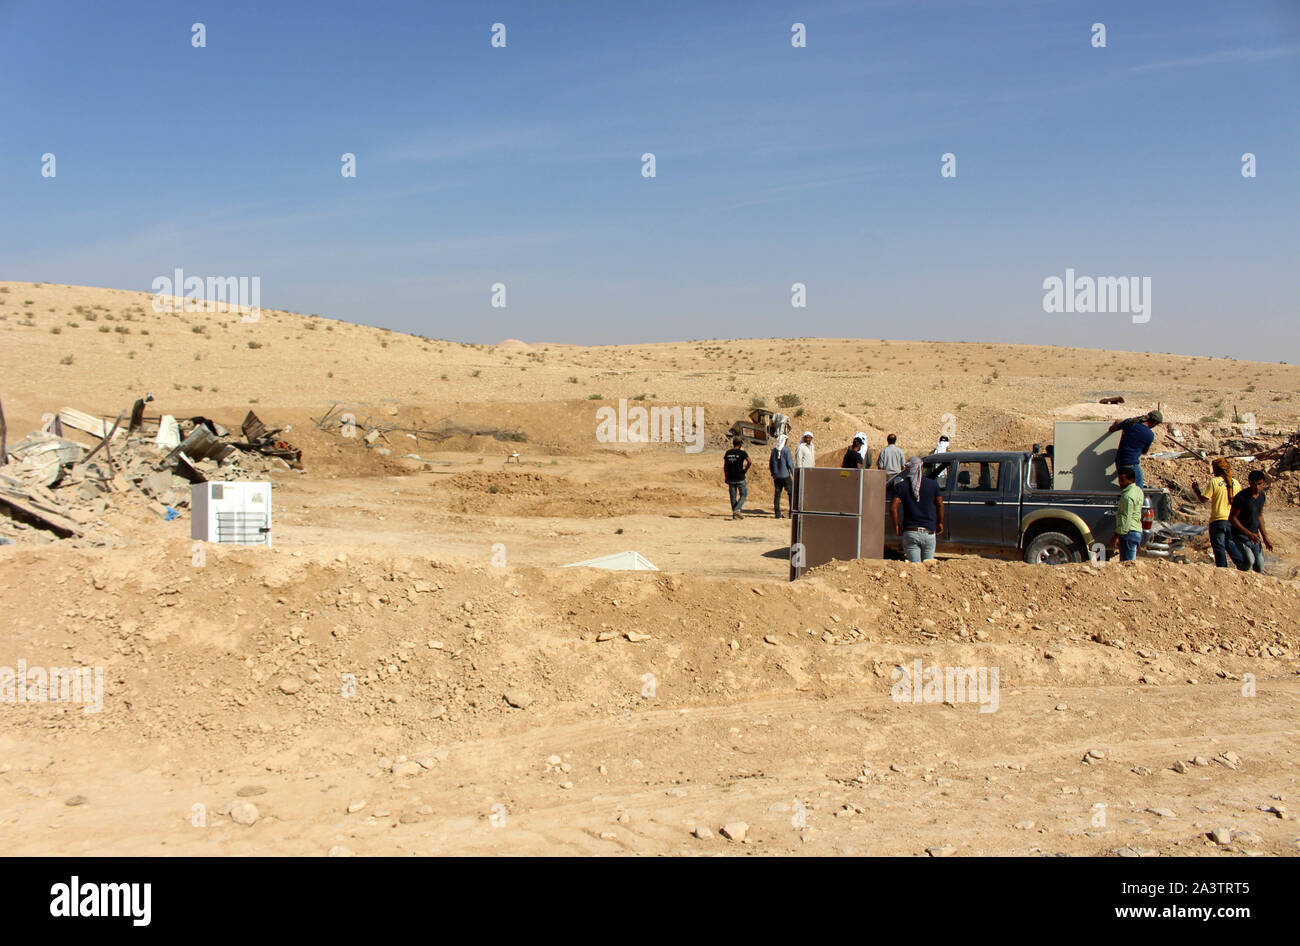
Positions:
{"x": 410, "y": 671}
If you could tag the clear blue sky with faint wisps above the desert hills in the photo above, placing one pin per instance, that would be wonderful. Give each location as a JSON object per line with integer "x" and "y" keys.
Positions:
{"x": 774, "y": 164}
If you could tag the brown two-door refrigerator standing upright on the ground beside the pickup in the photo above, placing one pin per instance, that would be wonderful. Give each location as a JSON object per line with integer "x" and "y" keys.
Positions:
{"x": 839, "y": 514}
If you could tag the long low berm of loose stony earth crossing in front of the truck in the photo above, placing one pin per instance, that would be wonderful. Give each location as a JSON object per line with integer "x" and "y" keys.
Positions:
{"x": 261, "y": 645}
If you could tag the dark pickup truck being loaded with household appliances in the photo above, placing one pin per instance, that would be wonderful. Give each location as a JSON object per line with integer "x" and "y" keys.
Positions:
{"x": 1003, "y": 504}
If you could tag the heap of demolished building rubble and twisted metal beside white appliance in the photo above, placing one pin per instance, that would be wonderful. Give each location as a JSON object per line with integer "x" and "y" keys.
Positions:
{"x": 57, "y": 487}
